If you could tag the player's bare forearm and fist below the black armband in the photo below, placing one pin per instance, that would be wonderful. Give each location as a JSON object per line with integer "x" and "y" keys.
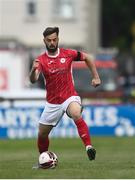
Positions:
{"x": 89, "y": 60}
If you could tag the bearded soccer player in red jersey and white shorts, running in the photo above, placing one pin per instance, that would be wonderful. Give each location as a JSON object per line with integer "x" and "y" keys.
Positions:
{"x": 55, "y": 65}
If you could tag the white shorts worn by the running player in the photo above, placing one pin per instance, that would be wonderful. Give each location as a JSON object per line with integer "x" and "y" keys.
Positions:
{"x": 52, "y": 113}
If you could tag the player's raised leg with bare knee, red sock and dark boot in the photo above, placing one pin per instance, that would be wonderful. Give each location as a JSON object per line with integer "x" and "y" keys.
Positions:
{"x": 74, "y": 110}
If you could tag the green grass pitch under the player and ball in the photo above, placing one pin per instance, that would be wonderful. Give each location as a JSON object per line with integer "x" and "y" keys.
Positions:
{"x": 115, "y": 159}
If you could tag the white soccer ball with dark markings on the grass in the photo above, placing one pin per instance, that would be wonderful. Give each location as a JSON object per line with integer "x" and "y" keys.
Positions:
{"x": 48, "y": 160}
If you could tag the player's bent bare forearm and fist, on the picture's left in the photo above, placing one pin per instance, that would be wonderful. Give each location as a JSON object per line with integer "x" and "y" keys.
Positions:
{"x": 35, "y": 72}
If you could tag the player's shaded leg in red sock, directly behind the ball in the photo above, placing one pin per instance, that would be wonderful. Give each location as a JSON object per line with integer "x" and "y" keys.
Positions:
{"x": 43, "y": 139}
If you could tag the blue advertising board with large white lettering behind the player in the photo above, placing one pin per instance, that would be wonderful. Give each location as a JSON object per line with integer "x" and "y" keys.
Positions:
{"x": 102, "y": 120}
